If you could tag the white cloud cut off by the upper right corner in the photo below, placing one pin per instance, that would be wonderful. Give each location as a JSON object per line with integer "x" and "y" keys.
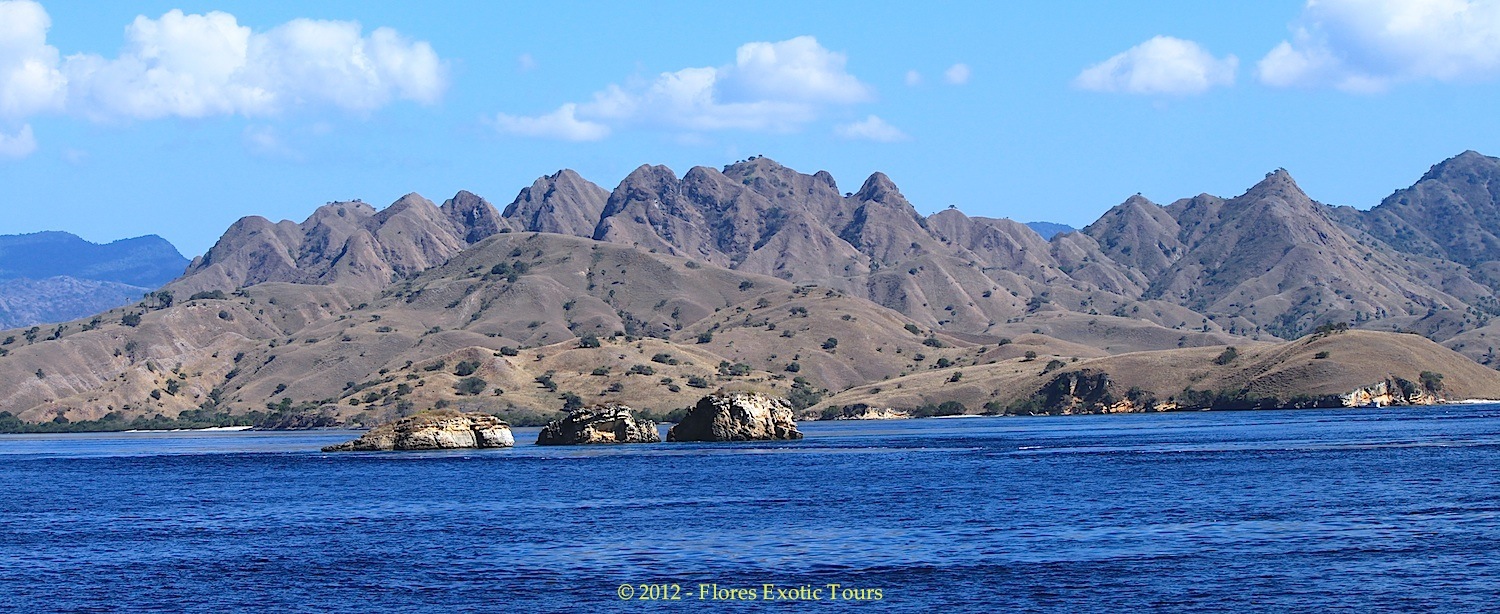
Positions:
{"x": 1369, "y": 46}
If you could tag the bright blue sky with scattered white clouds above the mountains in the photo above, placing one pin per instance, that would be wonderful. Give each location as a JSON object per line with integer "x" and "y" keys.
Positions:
{"x": 178, "y": 118}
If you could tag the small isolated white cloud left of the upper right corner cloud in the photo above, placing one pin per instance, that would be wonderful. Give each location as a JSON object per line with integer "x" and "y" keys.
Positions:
{"x": 1163, "y": 65}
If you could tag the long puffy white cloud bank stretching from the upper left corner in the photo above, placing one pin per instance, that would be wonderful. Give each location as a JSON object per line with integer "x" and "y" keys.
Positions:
{"x": 187, "y": 65}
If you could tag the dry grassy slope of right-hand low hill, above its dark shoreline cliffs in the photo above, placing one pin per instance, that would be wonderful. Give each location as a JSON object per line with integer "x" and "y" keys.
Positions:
{"x": 1318, "y": 366}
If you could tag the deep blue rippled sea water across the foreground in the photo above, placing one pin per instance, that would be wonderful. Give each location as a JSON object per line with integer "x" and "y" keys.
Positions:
{"x": 1343, "y": 510}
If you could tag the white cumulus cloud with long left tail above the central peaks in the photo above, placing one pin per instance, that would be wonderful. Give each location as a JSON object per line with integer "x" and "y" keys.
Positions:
{"x": 772, "y": 86}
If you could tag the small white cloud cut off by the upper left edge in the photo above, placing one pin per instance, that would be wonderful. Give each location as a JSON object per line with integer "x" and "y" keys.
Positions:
{"x": 31, "y": 80}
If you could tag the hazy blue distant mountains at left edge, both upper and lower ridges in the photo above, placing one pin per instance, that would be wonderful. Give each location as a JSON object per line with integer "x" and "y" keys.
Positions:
{"x": 58, "y": 277}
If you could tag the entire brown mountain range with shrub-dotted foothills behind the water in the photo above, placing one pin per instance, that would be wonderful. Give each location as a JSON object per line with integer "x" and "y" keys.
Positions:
{"x": 758, "y": 275}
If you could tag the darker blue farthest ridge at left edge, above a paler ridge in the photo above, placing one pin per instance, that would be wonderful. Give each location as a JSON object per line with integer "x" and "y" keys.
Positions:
{"x": 143, "y": 262}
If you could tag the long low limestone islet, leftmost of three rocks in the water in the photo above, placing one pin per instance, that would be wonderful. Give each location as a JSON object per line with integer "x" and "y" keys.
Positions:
{"x": 439, "y": 430}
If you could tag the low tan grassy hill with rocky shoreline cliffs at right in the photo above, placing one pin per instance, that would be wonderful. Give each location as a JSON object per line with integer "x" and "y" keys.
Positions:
{"x": 1330, "y": 370}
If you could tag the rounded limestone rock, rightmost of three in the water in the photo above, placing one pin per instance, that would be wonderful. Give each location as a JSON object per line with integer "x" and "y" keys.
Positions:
{"x": 739, "y": 417}
